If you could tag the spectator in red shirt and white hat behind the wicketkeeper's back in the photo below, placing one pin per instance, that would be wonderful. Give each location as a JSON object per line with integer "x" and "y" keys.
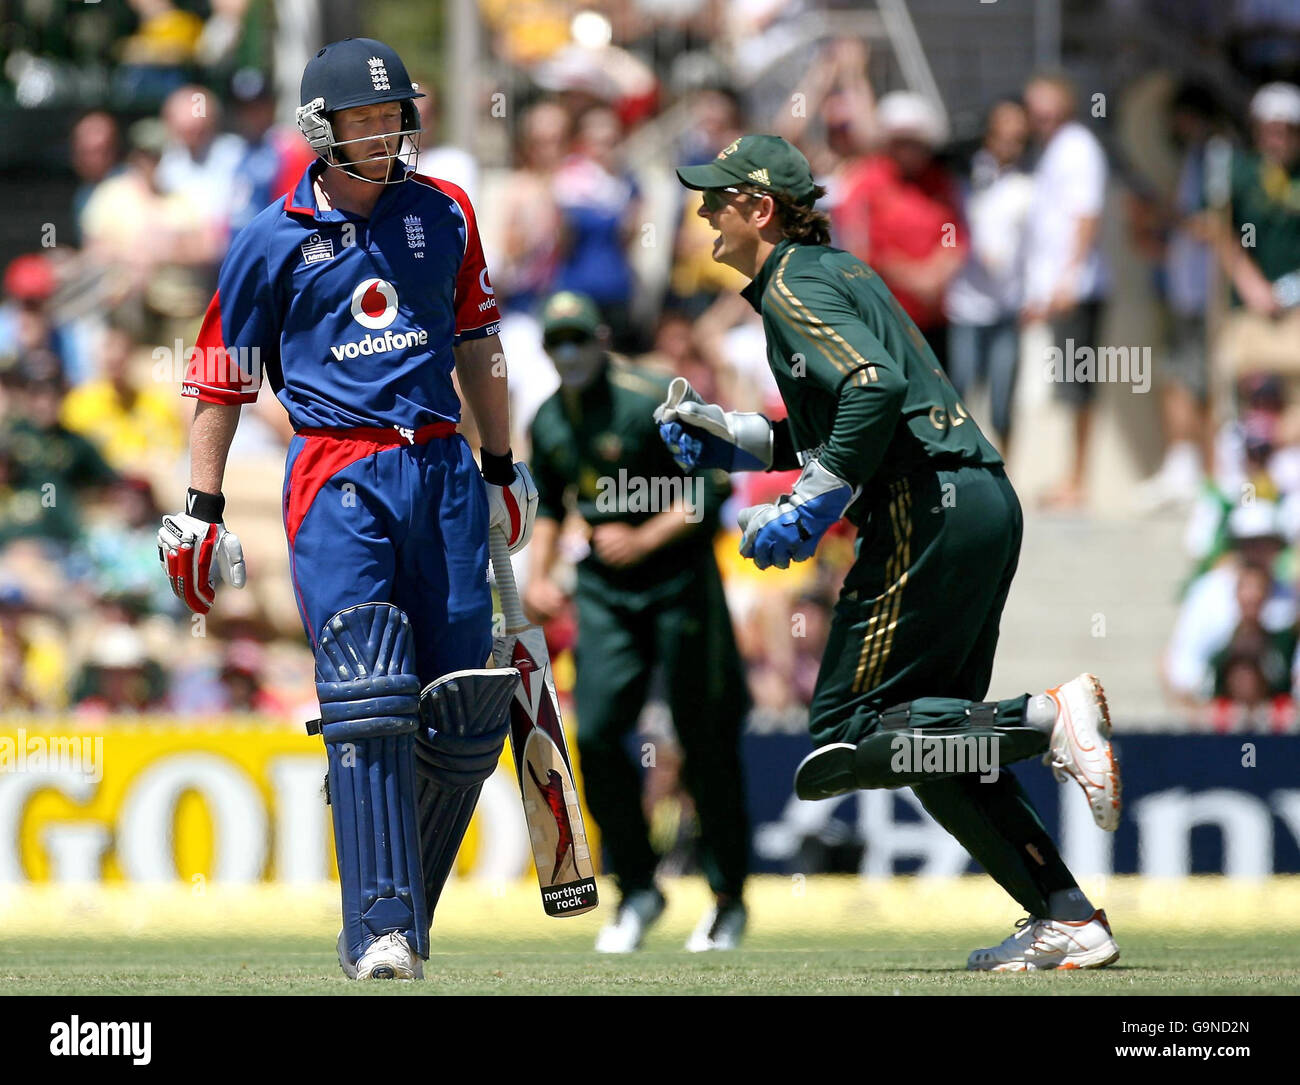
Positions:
{"x": 900, "y": 214}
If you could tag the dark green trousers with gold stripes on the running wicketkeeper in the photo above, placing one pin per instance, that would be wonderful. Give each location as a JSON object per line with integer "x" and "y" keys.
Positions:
{"x": 911, "y": 654}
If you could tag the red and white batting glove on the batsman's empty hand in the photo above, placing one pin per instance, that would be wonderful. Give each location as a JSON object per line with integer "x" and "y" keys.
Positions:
{"x": 196, "y": 549}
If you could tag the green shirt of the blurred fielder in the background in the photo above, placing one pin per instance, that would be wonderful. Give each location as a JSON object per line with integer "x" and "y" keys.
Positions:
{"x": 601, "y": 450}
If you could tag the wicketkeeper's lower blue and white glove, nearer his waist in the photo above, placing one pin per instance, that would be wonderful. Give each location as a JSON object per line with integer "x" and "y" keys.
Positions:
{"x": 791, "y": 528}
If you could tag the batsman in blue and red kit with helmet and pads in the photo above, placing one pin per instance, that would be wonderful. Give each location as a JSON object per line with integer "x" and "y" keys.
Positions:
{"x": 357, "y": 296}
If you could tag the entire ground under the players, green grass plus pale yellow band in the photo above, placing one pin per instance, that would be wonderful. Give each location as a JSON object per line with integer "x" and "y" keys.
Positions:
{"x": 825, "y": 936}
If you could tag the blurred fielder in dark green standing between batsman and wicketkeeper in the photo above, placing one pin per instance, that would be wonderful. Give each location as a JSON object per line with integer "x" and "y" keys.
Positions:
{"x": 648, "y": 594}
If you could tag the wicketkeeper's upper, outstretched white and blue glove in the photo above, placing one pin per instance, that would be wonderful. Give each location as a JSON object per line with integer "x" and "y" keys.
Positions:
{"x": 704, "y": 436}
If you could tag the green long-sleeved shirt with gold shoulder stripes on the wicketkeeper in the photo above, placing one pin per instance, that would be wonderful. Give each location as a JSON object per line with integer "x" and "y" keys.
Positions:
{"x": 859, "y": 380}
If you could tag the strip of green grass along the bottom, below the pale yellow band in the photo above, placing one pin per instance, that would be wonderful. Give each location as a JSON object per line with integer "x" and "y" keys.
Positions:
{"x": 842, "y": 965}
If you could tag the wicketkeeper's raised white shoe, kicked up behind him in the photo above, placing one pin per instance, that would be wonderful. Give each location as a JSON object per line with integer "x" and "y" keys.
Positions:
{"x": 1081, "y": 748}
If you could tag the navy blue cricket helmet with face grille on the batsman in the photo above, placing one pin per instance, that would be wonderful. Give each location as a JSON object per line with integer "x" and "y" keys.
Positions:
{"x": 350, "y": 73}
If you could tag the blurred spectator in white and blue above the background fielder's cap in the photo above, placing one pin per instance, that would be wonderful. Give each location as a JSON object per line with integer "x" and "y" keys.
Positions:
{"x": 600, "y": 205}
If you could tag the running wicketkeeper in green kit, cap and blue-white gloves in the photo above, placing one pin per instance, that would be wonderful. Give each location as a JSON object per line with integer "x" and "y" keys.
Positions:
{"x": 882, "y": 439}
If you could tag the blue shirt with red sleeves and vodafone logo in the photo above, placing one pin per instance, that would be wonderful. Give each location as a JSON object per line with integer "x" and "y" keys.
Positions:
{"x": 350, "y": 320}
